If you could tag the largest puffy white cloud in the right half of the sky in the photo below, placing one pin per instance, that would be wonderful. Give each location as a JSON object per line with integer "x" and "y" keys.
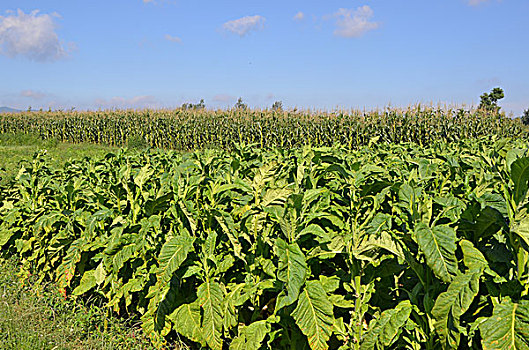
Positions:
{"x": 351, "y": 23}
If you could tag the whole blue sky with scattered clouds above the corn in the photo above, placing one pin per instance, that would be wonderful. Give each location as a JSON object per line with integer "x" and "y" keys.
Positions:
{"x": 308, "y": 54}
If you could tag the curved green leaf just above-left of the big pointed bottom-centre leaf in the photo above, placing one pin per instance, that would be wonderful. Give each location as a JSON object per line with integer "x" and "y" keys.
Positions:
{"x": 292, "y": 271}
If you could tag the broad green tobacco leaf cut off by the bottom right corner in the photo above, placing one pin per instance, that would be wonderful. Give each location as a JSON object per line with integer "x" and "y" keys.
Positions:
{"x": 508, "y": 327}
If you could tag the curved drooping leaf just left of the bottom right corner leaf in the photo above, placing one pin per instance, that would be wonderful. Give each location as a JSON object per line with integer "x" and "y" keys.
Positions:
{"x": 453, "y": 303}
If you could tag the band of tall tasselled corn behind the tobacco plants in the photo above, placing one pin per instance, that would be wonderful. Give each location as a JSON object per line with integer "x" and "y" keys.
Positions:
{"x": 198, "y": 129}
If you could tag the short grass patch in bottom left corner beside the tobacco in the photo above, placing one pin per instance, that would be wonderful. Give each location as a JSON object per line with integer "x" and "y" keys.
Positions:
{"x": 36, "y": 316}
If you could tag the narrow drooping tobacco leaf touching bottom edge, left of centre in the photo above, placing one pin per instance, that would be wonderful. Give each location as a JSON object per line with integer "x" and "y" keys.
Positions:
{"x": 210, "y": 297}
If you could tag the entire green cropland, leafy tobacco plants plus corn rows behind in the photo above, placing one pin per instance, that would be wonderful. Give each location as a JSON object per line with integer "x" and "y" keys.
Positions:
{"x": 397, "y": 229}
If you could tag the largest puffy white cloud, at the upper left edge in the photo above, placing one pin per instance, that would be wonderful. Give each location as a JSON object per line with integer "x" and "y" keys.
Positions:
{"x": 31, "y": 35}
